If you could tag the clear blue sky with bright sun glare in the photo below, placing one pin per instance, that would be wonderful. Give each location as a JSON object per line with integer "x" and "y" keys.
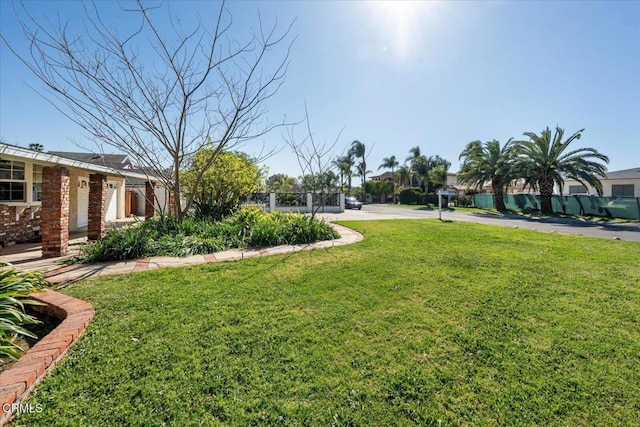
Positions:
{"x": 399, "y": 74}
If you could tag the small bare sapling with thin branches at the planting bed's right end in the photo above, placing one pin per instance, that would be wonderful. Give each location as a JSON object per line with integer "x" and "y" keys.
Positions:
{"x": 314, "y": 158}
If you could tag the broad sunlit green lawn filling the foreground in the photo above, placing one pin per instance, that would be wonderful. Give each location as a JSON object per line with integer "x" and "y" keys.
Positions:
{"x": 422, "y": 323}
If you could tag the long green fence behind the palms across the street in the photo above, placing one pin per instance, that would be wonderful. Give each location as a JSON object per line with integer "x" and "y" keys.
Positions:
{"x": 612, "y": 207}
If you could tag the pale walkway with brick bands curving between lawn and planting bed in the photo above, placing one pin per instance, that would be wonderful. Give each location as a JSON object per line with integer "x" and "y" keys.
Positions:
{"x": 28, "y": 257}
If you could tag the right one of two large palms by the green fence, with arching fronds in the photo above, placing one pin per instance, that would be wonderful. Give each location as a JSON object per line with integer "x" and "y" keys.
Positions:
{"x": 543, "y": 162}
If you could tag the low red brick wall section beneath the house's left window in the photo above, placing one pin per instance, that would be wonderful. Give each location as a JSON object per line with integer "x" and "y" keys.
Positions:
{"x": 24, "y": 229}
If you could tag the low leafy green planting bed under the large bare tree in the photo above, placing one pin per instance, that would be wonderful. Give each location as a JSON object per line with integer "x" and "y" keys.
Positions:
{"x": 166, "y": 236}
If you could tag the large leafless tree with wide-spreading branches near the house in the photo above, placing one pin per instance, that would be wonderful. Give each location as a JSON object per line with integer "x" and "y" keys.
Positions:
{"x": 158, "y": 95}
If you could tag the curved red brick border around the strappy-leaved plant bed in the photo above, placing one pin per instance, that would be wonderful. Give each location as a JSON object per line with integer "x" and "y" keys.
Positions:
{"x": 17, "y": 382}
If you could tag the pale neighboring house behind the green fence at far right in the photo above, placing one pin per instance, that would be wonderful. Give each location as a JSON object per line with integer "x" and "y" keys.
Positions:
{"x": 622, "y": 183}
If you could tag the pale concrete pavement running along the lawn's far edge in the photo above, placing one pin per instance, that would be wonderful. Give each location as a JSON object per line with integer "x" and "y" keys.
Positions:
{"x": 629, "y": 231}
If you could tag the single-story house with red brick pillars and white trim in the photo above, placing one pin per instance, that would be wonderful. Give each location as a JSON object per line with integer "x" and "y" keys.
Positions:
{"x": 47, "y": 195}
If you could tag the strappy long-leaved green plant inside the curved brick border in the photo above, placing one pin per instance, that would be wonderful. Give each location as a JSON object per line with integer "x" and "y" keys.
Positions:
{"x": 15, "y": 287}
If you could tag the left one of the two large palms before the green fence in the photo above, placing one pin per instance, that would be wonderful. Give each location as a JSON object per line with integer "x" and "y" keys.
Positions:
{"x": 489, "y": 162}
